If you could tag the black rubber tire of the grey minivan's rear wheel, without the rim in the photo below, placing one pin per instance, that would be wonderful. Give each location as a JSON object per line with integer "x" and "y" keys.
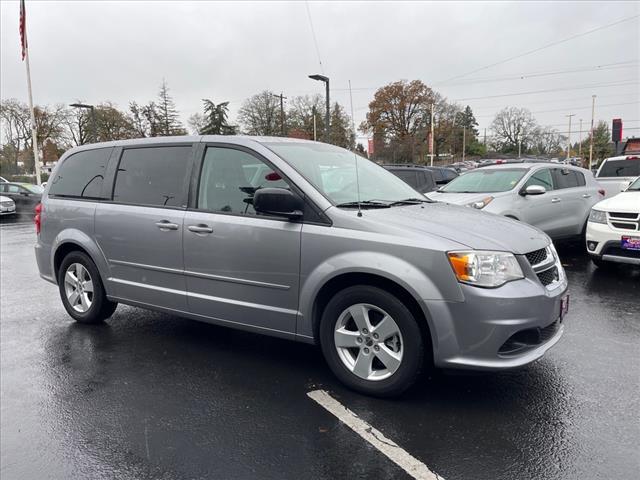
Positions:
{"x": 101, "y": 308}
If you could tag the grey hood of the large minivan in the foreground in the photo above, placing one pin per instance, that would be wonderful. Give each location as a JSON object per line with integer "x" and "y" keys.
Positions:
{"x": 467, "y": 226}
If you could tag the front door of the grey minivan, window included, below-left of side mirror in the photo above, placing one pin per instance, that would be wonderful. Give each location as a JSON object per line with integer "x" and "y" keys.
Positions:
{"x": 240, "y": 267}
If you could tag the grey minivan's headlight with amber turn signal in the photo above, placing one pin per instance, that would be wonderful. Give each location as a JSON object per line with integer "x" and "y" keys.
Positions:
{"x": 485, "y": 269}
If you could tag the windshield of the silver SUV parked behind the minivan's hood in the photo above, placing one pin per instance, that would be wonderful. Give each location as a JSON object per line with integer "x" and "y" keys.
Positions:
{"x": 485, "y": 181}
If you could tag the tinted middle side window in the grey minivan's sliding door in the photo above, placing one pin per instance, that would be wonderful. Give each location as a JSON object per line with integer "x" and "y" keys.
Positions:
{"x": 152, "y": 176}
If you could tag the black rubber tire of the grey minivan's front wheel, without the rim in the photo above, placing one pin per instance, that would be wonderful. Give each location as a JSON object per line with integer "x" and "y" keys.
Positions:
{"x": 412, "y": 342}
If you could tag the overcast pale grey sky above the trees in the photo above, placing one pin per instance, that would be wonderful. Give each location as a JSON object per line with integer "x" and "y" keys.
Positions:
{"x": 120, "y": 51}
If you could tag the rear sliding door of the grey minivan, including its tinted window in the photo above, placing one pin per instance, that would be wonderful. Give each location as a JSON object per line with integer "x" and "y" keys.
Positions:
{"x": 140, "y": 230}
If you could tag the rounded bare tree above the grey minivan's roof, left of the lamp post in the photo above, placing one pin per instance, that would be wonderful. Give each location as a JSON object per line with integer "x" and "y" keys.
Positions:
{"x": 260, "y": 114}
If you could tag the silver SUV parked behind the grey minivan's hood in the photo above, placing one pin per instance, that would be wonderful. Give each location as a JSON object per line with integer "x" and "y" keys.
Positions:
{"x": 555, "y": 198}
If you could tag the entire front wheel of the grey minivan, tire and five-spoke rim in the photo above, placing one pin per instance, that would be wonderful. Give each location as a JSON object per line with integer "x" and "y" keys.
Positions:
{"x": 371, "y": 341}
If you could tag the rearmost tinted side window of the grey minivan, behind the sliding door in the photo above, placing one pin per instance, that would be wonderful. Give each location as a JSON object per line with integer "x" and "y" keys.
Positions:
{"x": 81, "y": 174}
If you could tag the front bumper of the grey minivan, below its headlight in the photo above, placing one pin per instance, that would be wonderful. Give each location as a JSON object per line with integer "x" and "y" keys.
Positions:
{"x": 498, "y": 329}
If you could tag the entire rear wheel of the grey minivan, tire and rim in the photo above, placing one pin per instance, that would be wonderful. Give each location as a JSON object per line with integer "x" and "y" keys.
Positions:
{"x": 81, "y": 289}
